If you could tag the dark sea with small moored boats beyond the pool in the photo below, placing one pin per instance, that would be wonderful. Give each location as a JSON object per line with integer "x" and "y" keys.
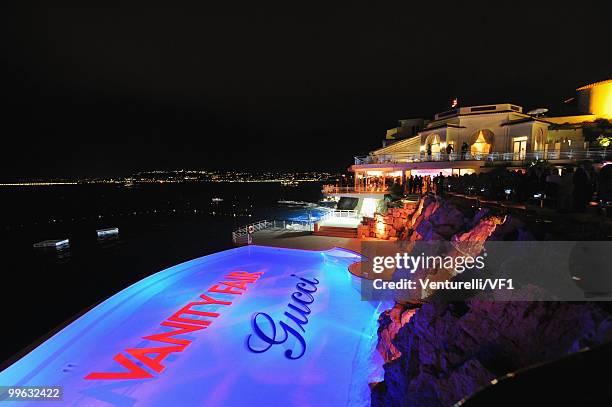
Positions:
{"x": 160, "y": 225}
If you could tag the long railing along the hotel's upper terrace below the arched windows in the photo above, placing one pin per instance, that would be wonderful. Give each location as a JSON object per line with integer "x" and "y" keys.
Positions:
{"x": 397, "y": 158}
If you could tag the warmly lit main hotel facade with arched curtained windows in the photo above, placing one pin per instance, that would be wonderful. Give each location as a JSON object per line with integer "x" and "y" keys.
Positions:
{"x": 458, "y": 141}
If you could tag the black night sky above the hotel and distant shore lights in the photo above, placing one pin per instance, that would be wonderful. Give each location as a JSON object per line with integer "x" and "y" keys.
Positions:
{"x": 107, "y": 91}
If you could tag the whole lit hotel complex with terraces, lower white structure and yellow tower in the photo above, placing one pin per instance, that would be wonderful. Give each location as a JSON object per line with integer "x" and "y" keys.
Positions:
{"x": 481, "y": 138}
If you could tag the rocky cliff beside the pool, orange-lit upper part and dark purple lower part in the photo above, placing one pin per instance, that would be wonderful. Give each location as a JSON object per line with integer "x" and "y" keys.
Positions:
{"x": 439, "y": 352}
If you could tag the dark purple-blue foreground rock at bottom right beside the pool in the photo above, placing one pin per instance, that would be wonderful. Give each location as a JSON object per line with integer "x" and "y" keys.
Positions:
{"x": 450, "y": 350}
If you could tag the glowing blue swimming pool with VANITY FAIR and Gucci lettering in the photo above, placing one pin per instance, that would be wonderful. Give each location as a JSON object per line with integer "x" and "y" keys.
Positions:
{"x": 256, "y": 325}
